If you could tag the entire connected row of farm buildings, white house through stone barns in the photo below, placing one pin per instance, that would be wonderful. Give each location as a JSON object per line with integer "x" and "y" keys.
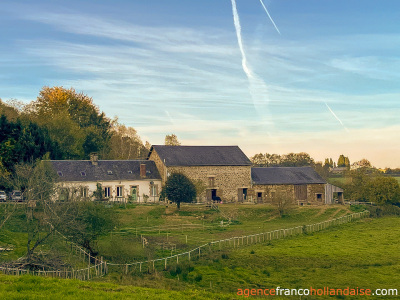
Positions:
{"x": 221, "y": 173}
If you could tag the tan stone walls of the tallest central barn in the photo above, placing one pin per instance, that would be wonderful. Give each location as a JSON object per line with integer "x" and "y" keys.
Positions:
{"x": 229, "y": 183}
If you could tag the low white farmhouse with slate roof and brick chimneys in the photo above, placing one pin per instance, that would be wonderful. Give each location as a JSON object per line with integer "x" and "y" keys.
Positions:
{"x": 121, "y": 180}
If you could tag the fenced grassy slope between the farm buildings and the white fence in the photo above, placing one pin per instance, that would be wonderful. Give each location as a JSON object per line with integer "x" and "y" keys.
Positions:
{"x": 165, "y": 233}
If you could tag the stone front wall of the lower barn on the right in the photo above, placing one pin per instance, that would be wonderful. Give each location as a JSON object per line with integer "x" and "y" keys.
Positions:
{"x": 301, "y": 194}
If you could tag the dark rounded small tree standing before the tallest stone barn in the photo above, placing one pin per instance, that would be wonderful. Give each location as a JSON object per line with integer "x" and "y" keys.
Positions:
{"x": 179, "y": 188}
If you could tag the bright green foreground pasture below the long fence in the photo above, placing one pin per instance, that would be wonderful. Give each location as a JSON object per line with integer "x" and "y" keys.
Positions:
{"x": 362, "y": 254}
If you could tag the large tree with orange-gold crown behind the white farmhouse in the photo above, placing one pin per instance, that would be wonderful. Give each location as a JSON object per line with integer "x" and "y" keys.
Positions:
{"x": 73, "y": 120}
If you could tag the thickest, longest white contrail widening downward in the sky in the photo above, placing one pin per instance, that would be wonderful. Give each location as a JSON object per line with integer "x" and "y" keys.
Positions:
{"x": 257, "y": 86}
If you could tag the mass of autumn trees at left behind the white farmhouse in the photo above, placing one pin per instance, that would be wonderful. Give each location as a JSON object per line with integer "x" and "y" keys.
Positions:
{"x": 67, "y": 125}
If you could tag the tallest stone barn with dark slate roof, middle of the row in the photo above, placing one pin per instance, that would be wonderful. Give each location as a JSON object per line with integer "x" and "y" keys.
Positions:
{"x": 222, "y": 172}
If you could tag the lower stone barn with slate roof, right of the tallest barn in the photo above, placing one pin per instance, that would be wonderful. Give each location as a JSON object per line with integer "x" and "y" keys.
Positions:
{"x": 301, "y": 184}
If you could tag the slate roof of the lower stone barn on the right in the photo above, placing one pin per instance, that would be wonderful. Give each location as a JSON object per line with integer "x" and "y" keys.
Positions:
{"x": 286, "y": 175}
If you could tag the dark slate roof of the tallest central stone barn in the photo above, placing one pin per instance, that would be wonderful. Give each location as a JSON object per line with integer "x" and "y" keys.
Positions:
{"x": 201, "y": 155}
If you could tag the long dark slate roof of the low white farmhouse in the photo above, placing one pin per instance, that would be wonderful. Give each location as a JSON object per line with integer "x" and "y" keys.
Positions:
{"x": 120, "y": 170}
